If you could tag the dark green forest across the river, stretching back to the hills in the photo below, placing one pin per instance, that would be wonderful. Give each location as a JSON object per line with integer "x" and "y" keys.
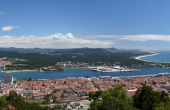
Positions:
{"x": 91, "y": 57}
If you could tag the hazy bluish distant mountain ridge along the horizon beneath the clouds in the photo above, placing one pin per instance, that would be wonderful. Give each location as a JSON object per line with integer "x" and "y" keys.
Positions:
{"x": 67, "y": 51}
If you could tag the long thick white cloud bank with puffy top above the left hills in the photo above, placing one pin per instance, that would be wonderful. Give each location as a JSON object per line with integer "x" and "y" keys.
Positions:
{"x": 57, "y": 41}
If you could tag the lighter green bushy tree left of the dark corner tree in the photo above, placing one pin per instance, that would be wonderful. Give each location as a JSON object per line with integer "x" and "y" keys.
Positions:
{"x": 113, "y": 99}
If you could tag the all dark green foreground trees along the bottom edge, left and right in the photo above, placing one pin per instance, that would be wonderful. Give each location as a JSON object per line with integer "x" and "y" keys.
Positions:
{"x": 113, "y": 99}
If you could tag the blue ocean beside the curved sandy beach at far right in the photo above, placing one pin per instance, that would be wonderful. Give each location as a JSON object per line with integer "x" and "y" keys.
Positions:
{"x": 158, "y": 57}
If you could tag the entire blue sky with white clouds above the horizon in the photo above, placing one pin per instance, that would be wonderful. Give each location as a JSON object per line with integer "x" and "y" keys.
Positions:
{"x": 122, "y": 24}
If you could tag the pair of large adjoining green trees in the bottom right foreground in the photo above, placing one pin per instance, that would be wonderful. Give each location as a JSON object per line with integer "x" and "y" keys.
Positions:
{"x": 116, "y": 99}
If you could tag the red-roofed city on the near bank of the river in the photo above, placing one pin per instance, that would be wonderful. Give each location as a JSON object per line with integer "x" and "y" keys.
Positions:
{"x": 75, "y": 90}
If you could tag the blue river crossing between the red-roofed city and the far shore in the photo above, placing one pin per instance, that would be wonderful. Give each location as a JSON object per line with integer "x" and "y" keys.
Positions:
{"x": 81, "y": 72}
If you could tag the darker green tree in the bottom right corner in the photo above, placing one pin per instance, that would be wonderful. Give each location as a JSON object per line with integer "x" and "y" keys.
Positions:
{"x": 146, "y": 99}
